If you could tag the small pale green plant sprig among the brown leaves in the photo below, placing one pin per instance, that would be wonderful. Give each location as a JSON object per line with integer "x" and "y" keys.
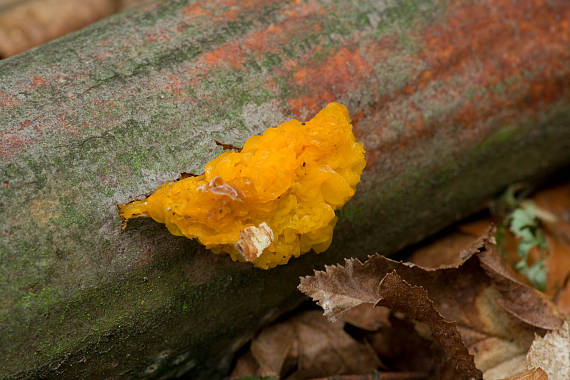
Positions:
{"x": 523, "y": 219}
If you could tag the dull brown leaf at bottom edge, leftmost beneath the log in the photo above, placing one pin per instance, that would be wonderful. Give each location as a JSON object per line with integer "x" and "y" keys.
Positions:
{"x": 309, "y": 345}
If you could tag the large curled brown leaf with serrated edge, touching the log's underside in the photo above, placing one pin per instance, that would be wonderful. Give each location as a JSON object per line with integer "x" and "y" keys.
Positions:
{"x": 480, "y": 295}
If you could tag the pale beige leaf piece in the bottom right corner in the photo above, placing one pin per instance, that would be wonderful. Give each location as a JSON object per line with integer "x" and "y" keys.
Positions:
{"x": 552, "y": 353}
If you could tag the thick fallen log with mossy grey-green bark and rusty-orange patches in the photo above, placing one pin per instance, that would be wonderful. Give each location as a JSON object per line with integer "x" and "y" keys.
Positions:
{"x": 454, "y": 100}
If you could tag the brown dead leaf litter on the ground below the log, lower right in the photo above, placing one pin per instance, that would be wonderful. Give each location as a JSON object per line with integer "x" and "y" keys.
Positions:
{"x": 460, "y": 311}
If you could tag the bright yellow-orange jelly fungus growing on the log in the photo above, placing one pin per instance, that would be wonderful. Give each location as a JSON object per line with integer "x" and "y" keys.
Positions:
{"x": 272, "y": 200}
